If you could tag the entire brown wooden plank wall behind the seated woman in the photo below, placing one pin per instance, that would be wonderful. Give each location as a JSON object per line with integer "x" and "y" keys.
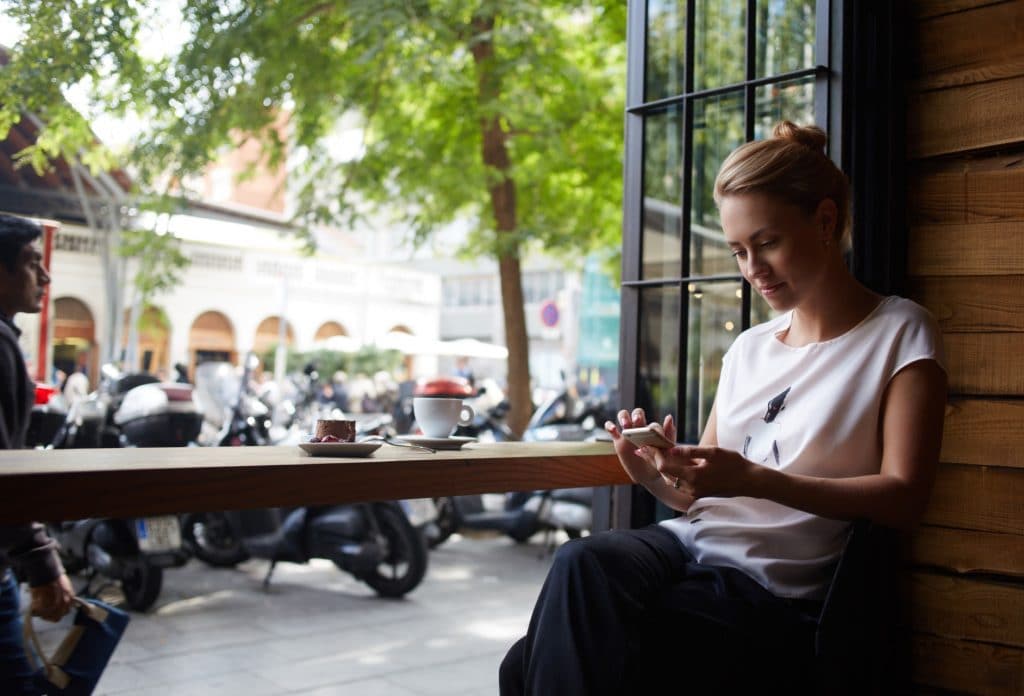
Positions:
{"x": 966, "y": 265}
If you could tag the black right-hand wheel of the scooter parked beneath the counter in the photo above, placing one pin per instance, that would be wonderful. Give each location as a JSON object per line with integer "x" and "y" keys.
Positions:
{"x": 402, "y": 570}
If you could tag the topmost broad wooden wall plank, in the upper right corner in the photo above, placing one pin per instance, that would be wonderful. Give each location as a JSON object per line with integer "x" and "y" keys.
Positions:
{"x": 970, "y": 48}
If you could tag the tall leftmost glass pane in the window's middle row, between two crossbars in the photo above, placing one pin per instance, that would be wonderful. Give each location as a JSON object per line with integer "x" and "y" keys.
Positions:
{"x": 663, "y": 195}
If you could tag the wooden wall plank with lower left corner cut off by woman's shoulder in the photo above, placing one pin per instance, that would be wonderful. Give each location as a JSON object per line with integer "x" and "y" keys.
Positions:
{"x": 972, "y": 304}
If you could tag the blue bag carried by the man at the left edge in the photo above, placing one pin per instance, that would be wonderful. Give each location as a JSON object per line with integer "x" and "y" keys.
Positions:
{"x": 80, "y": 660}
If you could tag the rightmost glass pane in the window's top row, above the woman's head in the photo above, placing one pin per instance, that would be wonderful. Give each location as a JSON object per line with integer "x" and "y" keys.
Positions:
{"x": 786, "y": 36}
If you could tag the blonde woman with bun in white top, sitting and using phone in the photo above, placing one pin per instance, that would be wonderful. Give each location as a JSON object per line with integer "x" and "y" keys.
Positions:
{"x": 829, "y": 413}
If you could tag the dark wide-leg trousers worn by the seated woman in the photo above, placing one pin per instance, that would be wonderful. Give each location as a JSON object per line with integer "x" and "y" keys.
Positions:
{"x": 628, "y": 611}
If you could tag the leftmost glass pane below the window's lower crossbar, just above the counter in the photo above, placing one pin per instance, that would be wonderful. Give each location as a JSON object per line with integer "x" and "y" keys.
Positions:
{"x": 658, "y": 353}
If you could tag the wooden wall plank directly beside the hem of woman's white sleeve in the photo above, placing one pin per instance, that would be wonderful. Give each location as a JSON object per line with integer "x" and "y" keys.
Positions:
{"x": 986, "y": 364}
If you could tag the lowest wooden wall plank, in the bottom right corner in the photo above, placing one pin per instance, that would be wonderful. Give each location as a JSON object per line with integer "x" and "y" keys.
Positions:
{"x": 967, "y": 667}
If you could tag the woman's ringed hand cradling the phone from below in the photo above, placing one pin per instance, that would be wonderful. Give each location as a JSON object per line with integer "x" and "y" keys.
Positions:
{"x": 703, "y": 471}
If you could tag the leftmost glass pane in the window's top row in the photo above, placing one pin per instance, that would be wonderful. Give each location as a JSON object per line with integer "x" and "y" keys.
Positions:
{"x": 666, "y": 51}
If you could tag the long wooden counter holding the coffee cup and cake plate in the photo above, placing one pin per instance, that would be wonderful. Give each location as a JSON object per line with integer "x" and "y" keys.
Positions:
{"x": 71, "y": 485}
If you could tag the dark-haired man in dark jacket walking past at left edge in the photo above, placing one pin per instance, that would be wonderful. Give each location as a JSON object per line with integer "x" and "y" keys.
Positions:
{"x": 26, "y": 547}
